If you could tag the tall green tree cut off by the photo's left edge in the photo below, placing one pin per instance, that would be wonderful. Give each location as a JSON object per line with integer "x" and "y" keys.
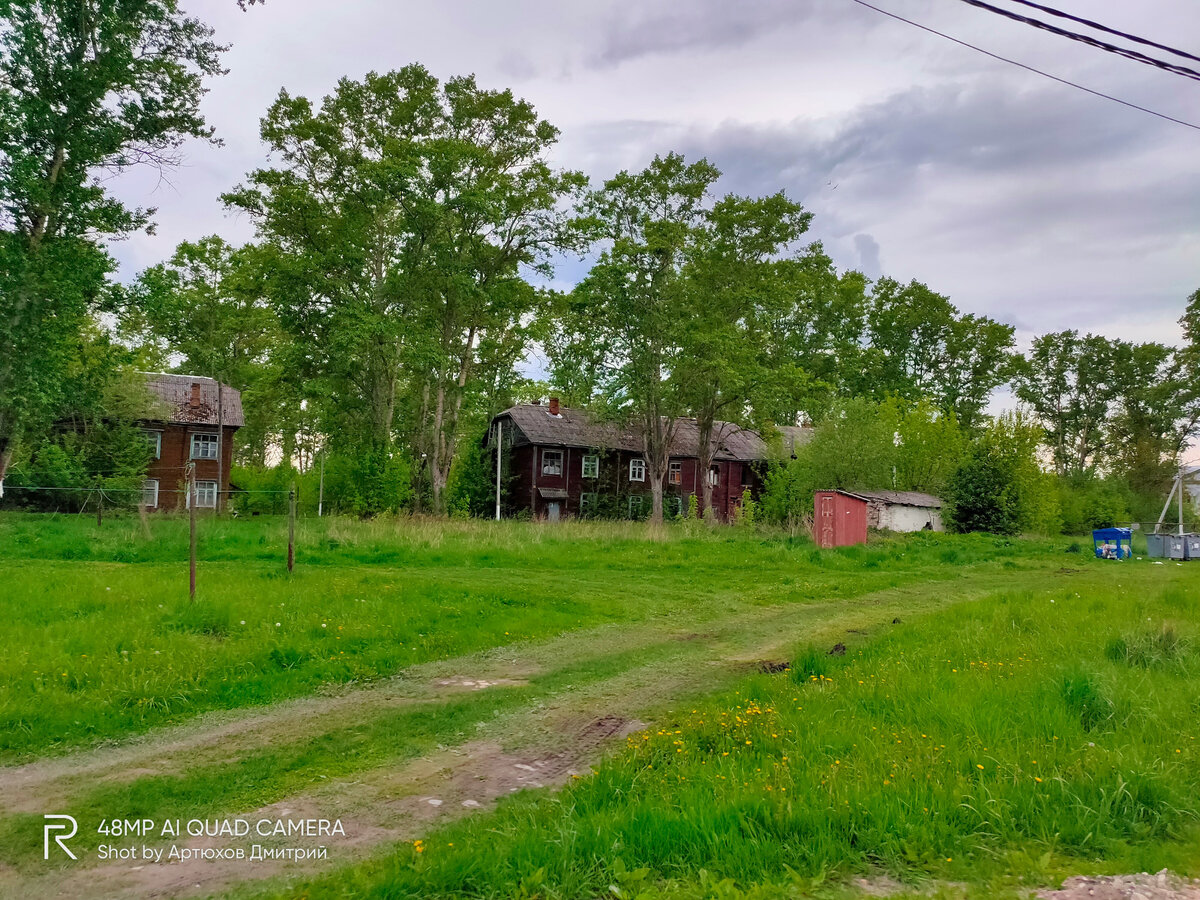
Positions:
{"x": 88, "y": 88}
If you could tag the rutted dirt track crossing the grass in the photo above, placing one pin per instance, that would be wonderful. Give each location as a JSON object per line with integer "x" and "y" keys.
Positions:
{"x": 560, "y": 733}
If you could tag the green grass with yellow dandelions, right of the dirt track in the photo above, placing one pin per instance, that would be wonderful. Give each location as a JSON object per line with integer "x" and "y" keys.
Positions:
{"x": 998, "y": 745}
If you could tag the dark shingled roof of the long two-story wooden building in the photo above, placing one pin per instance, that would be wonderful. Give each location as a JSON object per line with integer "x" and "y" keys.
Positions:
{"x": 578, "y": 429}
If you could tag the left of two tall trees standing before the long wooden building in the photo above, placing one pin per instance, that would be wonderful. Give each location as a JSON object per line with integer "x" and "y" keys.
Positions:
{"x": 628, "y": 317}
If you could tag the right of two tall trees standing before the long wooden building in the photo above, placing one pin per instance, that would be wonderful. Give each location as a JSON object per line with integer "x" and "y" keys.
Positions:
{"x": 728, "y": 374}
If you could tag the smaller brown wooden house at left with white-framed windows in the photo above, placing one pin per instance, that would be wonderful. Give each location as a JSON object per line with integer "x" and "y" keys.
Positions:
{"x": 197, "y": 427}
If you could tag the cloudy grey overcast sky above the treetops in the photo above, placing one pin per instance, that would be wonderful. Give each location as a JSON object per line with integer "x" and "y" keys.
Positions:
{"x": 1018, "y": 197}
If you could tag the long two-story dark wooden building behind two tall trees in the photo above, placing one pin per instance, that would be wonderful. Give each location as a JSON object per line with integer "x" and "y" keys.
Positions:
{"x": 562, "y": 463}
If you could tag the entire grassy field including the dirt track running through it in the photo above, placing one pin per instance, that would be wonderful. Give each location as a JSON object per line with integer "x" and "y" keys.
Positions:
{"x": 1006, "y": 712}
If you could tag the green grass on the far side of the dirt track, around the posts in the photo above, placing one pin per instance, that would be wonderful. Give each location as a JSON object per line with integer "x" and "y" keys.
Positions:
{"x": 103, "y": 641}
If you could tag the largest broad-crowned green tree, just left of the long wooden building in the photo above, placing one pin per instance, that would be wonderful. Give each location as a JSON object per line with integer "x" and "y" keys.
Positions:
{"x": 405, "y": 212}
